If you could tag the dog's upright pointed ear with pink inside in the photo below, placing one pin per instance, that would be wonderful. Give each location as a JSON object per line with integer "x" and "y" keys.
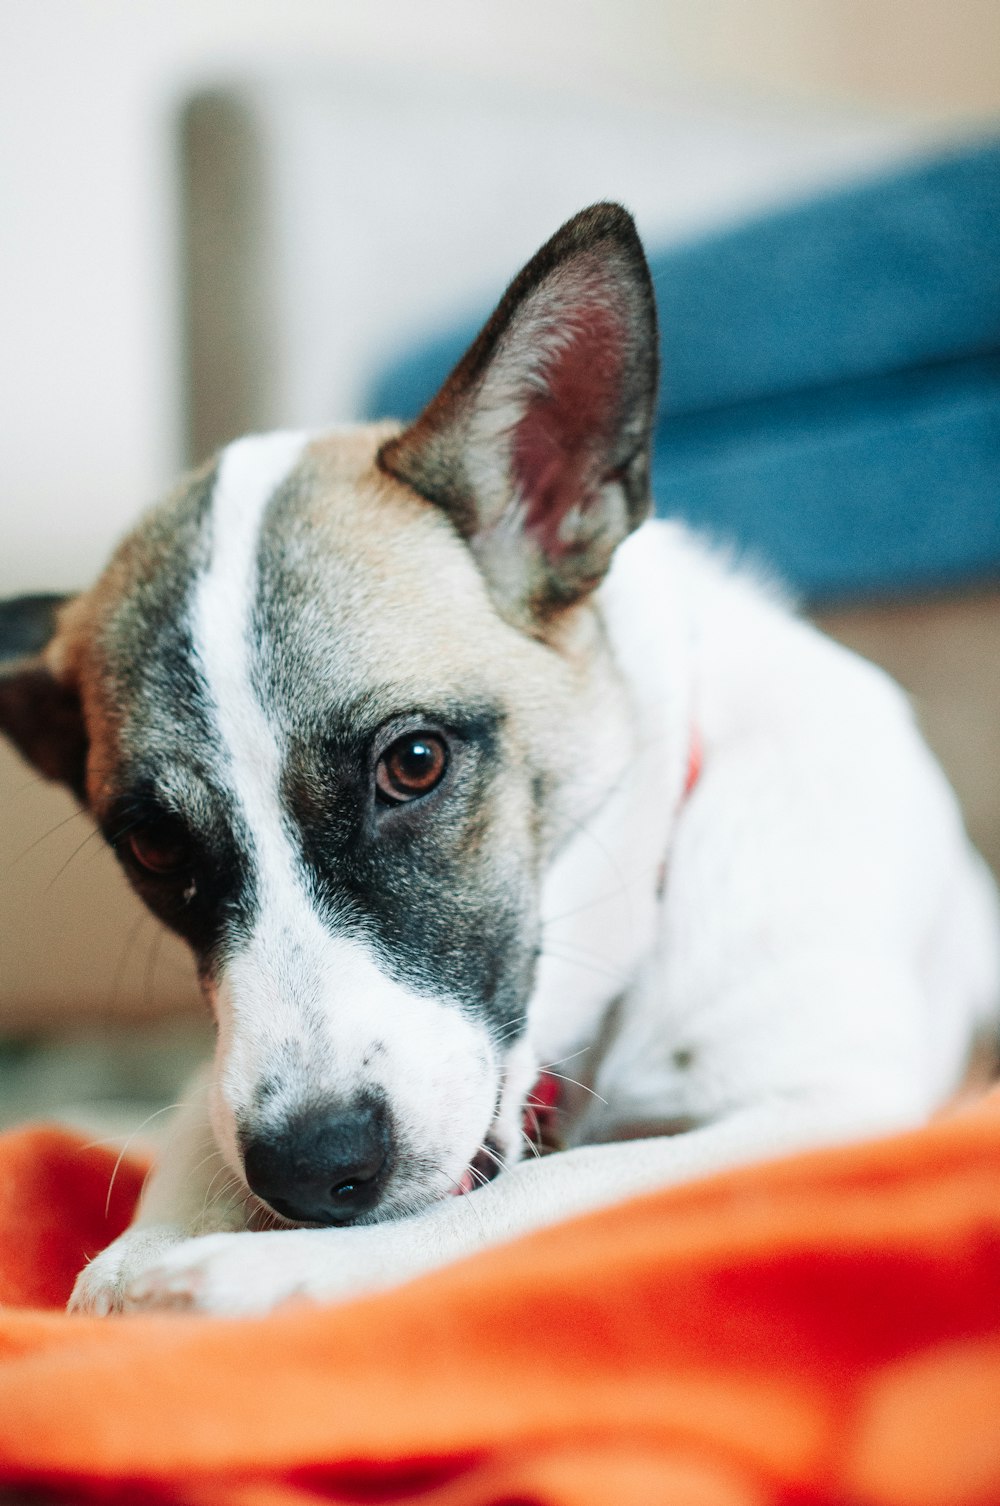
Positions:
{"x": 538, "y": 444}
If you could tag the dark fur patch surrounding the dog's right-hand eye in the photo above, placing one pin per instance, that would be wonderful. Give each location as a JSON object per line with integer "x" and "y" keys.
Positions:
{"x": 418, "y": 879}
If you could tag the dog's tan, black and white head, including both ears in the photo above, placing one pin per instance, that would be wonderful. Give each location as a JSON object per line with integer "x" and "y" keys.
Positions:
{"x": 338, "y": 701}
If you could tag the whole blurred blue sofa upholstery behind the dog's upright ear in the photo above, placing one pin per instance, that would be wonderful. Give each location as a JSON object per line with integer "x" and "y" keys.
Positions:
{"x": 831, "y": 383}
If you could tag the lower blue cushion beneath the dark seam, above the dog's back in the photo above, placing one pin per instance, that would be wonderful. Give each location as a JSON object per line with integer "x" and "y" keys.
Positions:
{"x": 885, "y": 489}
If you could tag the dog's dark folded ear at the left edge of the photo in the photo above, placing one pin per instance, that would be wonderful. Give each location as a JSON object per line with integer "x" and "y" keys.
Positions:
{"x": 38, "y": 713}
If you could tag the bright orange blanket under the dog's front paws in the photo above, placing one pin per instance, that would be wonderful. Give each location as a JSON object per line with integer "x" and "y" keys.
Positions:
{"x": 820, "y": 1331}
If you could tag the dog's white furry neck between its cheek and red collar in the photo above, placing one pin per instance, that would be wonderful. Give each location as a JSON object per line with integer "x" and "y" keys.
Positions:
{"x": 602, "y": 892}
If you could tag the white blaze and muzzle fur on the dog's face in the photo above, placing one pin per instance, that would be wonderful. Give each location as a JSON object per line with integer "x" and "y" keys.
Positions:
{"x": 294, "y": 987}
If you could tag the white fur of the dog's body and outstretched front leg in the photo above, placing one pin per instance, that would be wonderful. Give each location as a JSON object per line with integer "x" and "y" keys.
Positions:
{"x": 825, "y": 954}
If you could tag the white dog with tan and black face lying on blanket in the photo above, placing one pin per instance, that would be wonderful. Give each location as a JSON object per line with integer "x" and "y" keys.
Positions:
{"x": 498, "y": 819}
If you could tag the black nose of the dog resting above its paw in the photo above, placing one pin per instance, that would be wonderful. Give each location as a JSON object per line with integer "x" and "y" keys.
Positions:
{"x": 323, "y": 1168}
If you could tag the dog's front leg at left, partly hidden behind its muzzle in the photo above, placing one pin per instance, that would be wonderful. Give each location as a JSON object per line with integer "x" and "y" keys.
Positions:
{"x": 192, "y": 1192}
